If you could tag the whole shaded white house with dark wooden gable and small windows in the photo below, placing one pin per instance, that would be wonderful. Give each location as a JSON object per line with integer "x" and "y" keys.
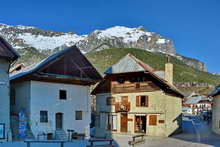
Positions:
{"x": 53, "y": 96}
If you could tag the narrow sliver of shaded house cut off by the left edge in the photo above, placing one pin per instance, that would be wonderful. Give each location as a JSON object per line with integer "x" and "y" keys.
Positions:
{"x": 7, "y": 56}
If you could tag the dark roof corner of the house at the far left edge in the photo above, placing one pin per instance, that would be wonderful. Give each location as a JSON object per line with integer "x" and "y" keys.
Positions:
{"x": 6, "y": 50}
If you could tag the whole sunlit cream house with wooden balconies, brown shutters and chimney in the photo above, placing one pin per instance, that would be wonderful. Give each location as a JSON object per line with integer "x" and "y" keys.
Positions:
{"x": 134, "y": 99}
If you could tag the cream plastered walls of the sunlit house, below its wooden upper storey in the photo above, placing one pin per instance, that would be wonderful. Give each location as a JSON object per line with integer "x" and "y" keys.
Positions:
{"x": 166, "y": 107}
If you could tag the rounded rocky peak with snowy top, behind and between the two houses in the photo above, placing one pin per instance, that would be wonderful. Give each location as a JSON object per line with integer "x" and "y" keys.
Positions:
{"x": 123, "y": 37}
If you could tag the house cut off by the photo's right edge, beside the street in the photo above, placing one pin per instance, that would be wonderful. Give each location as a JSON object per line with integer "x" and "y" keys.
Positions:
{"x": 215, "y": 94}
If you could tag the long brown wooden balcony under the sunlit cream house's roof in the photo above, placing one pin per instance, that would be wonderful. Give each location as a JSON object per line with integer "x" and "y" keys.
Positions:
{"x": 133, "y": 87}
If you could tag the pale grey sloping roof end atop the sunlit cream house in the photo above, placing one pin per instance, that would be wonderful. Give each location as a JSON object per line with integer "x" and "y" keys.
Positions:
{"x": 128, "y": 64}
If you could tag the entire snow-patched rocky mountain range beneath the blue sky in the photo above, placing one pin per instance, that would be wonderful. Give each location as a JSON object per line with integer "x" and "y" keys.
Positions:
{"x": 31, "y": 41}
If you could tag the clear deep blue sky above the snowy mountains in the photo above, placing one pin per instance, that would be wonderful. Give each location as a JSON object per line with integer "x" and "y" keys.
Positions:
{"x": 193, "y": 25}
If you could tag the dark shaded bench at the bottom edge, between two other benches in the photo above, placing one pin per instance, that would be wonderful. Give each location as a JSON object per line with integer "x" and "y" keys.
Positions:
{"x": 107, "y": 141}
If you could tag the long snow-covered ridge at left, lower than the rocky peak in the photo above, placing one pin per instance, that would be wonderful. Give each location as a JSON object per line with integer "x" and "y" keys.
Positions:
{"x": 25, "y": 36}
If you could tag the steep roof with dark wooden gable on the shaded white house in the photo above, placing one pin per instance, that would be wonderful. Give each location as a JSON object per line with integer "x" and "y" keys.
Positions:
{"x": 72, "y": 63}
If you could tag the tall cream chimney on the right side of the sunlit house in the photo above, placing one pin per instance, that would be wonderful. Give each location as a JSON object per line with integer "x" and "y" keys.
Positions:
{"x": 169, "y": 71}
